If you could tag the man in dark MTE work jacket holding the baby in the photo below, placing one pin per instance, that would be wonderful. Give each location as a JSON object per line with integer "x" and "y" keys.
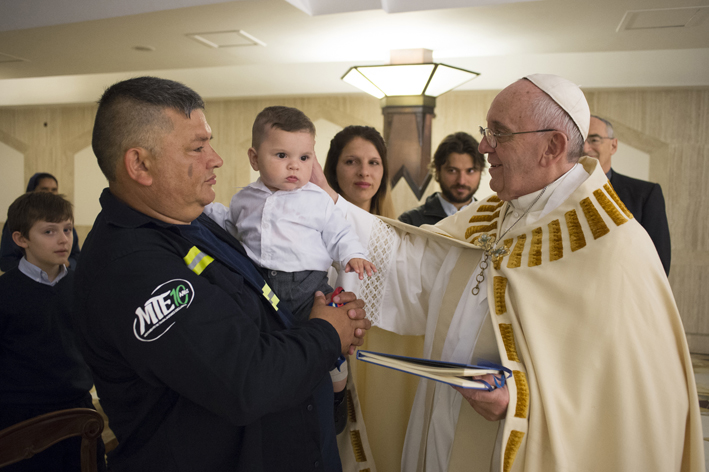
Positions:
{"x": 197, "y": 365}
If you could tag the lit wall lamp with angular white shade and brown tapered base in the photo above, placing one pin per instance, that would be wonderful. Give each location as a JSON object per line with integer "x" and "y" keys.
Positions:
{"x": 407, "y": 89}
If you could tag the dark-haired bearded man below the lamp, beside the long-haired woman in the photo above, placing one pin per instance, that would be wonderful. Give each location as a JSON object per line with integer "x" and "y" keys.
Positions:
{"x": 456, "y": 166}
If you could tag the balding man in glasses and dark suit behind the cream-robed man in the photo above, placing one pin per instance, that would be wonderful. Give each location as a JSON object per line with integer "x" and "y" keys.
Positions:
{"x": 643, "y": 199}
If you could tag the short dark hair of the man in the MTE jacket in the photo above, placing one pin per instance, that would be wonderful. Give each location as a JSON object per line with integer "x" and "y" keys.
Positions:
{"x": 131, "y": 114}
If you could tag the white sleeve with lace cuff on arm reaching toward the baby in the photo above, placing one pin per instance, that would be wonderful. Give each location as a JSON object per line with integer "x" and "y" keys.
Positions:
{"x": 397, "y": 296}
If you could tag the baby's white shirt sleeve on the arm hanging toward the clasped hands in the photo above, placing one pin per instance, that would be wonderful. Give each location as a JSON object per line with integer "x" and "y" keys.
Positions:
{"x": 339, "y": 237}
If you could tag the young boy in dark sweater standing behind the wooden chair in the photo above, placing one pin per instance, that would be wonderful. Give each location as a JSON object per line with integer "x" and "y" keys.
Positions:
{"x": 41, "y": 369}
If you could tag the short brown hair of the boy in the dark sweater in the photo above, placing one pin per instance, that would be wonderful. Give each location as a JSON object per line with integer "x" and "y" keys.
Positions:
{"x": 32, "y": 207}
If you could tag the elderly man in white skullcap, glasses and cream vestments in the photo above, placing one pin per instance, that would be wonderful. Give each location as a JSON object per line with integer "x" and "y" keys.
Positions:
{"x": 561, "y": 285}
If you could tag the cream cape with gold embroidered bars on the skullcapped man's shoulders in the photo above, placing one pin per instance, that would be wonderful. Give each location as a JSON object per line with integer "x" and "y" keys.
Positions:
{"x": 581, "y": 311}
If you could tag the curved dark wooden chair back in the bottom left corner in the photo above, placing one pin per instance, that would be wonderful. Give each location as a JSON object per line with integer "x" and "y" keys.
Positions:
{"x": 23, "y": 440}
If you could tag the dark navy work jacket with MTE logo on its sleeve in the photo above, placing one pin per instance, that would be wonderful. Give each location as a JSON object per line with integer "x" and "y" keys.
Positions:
{"x": 193, "y": 366}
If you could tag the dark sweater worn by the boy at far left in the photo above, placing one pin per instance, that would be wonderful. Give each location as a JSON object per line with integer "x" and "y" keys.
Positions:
{"x": 39, "y": 359}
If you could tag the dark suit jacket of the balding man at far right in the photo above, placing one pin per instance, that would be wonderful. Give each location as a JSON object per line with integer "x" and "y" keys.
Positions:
{"x": 645, "y": 201}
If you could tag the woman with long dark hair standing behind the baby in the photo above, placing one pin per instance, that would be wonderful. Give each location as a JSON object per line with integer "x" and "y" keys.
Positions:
{"x": 357, "y": 169}
